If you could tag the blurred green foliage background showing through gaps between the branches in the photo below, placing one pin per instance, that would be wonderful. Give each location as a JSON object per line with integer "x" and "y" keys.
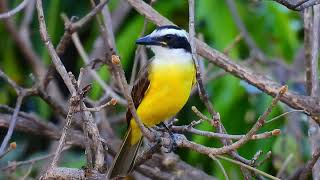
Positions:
{"x": 275, "y": 29}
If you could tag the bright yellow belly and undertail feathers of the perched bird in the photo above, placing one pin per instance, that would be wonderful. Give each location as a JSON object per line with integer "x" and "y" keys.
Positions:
{"x": 169, "y": 90}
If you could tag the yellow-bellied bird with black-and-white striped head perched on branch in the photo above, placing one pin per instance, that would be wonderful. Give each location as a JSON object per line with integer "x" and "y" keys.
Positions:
{"x": 160, "y": 92}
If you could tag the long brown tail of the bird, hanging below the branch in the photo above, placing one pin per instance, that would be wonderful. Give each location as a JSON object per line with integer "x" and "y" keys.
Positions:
{"x": 125, "y": 158}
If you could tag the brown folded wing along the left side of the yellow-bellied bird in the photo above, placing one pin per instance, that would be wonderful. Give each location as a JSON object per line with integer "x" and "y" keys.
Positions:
{"x": 139, "y": 89}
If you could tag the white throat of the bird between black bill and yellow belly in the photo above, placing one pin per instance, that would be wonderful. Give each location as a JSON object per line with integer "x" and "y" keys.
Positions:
{"x": 168, "y": 56}
